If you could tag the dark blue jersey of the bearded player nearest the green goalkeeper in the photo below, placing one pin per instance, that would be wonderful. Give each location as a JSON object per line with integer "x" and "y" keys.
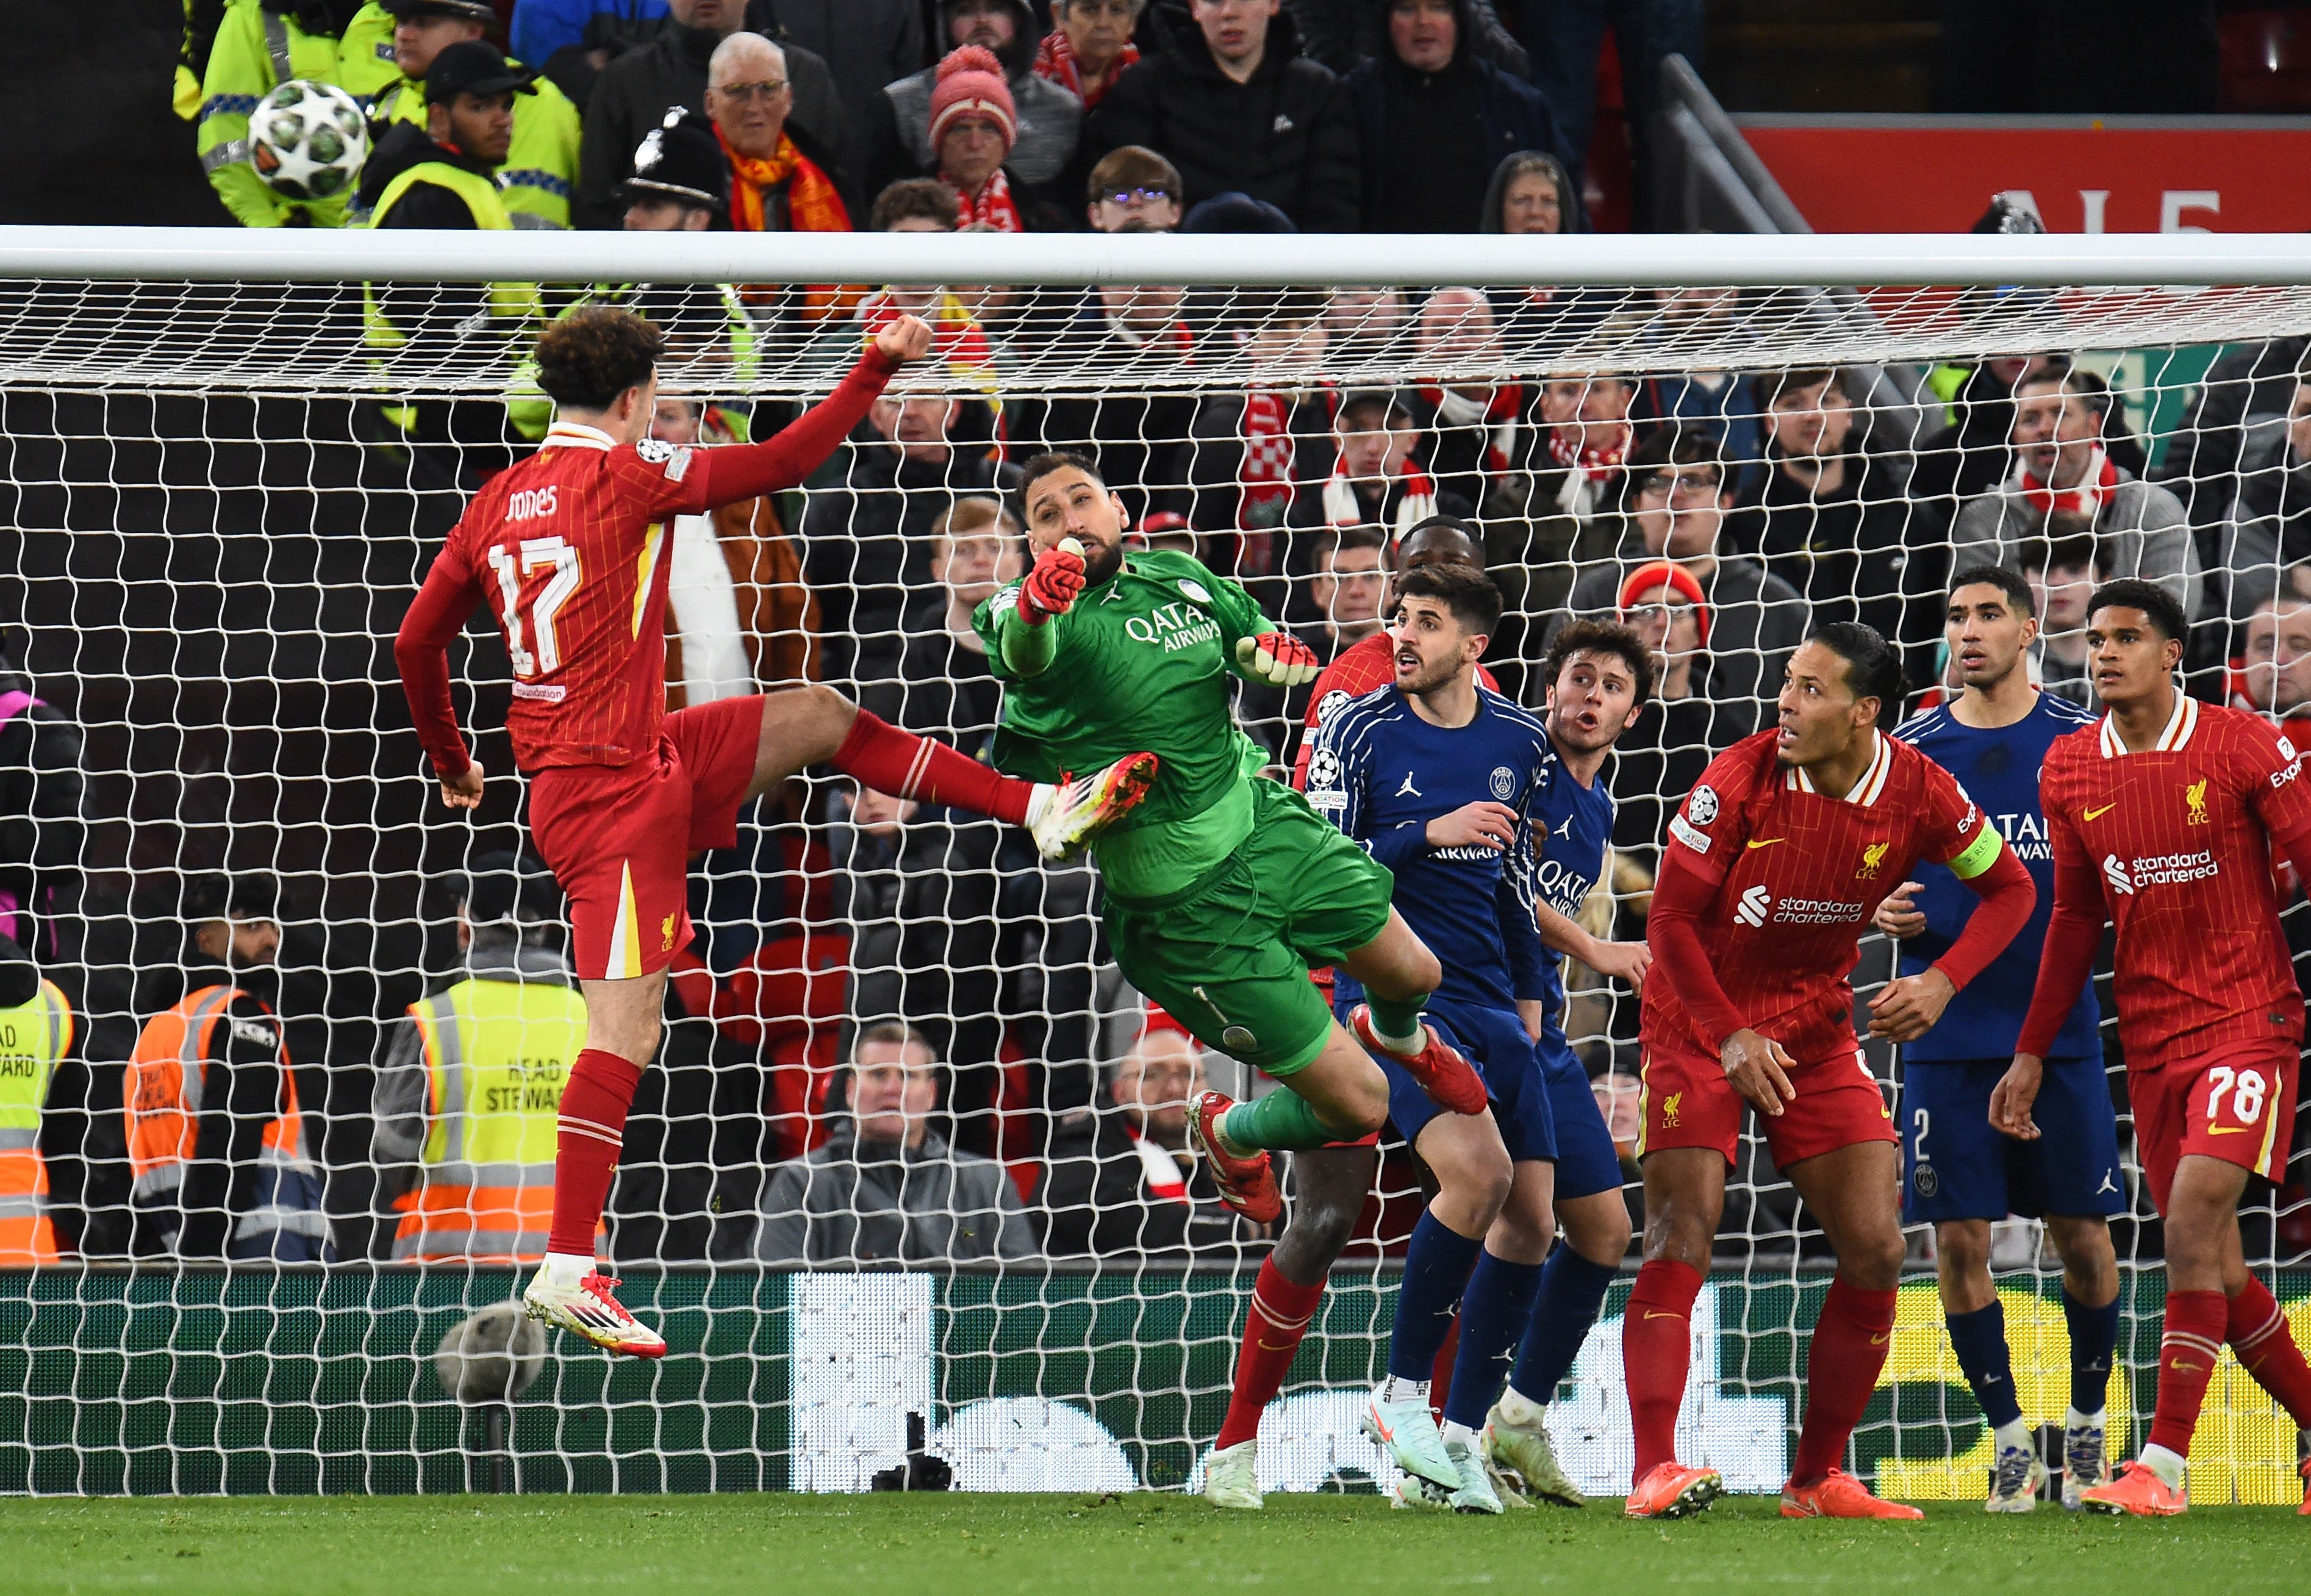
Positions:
{"x": 1383, "y": 775}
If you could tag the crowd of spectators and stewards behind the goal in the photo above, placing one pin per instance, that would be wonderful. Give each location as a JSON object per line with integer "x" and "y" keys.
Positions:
{"x": 898, "y": 1036}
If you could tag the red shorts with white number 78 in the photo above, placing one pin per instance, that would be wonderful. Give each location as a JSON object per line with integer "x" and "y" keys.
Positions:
{"x": 2234, "y": 1103}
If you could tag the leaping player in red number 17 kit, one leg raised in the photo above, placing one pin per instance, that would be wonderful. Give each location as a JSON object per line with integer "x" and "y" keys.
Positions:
{"x": 570, "y": 553}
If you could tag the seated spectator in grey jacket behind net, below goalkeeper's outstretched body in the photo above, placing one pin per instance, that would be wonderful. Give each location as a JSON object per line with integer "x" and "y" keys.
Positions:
{"x": 889, "y": 1188}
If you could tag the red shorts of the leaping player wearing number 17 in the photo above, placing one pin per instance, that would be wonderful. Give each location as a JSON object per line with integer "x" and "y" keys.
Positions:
{"x": 621, "y": 837}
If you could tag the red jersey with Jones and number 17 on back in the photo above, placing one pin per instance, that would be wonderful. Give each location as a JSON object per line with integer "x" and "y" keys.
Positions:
{"x": 570, "y": 553}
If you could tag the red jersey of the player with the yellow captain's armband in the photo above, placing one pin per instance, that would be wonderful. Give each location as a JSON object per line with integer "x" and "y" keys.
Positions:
{"x": 1799, "y": 874}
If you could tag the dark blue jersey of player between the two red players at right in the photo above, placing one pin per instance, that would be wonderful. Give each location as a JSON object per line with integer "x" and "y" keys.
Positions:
{"x": 2000, "y": 773}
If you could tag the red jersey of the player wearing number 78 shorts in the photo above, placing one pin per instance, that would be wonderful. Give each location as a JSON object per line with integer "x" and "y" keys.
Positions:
{"x": 2180, "y": 840}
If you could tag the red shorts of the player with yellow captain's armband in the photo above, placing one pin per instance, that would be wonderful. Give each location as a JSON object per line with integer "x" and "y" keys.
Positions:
{"x": 1688, "y": 1103}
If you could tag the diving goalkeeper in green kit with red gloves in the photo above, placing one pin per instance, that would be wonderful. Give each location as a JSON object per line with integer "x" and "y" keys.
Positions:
{"x": 1224, "y": 890}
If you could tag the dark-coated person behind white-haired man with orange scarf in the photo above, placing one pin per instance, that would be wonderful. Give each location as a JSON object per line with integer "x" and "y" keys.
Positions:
{"x": 637, "y": 89}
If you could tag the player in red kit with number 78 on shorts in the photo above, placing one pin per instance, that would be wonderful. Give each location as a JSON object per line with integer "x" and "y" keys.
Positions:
{"x": 2164, "y": 821}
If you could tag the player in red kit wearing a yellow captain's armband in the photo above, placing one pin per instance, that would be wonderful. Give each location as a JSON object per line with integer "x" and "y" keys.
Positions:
{"x": 1769, "y": 879}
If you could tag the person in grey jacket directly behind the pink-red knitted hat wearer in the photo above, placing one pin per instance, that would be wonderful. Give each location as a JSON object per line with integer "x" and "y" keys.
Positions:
{"x": 1048, "y": 121}
